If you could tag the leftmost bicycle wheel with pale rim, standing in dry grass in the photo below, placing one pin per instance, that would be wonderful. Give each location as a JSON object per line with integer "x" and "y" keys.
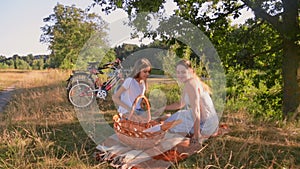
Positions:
{"x": 82, "y": 95}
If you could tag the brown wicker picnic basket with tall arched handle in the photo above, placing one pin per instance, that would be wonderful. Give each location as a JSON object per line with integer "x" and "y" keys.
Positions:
{"x": 130, "y": 132}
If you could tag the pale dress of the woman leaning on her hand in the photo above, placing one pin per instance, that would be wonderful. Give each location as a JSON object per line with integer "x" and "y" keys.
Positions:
{"x": 209, "y": 120}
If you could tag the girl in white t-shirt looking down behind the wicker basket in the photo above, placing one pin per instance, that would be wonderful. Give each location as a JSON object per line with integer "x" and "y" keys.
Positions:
{"x": 134, "y": 85}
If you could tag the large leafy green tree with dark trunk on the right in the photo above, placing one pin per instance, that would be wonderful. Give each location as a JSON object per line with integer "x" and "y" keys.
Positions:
{"x": 260, "y": 44}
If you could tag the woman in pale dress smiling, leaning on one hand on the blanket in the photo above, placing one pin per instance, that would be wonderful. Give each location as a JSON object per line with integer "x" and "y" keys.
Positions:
{"x": 199, "y": 117}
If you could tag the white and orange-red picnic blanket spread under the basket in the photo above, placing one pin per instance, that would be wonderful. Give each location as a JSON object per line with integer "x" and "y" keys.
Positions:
{"x": 171, "y": 149}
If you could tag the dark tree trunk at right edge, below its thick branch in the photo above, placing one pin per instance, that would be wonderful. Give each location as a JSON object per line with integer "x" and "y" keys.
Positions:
{"x": 291, "y": 77}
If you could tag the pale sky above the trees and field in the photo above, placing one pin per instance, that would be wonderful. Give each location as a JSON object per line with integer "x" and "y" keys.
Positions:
{"x": 21, "y": 22}
